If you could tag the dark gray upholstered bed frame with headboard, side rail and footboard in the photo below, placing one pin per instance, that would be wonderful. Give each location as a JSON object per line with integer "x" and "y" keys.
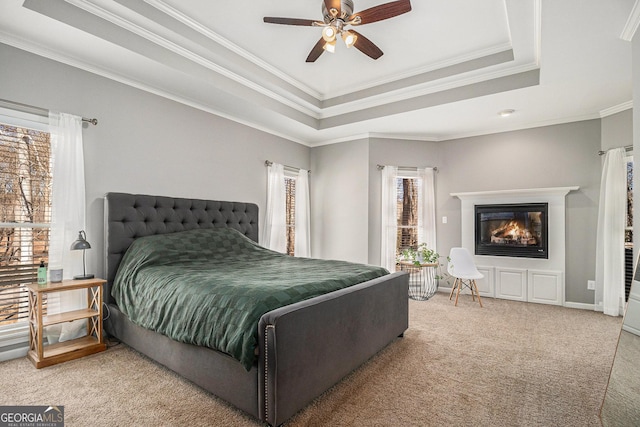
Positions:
{"x": 304, "y": 348}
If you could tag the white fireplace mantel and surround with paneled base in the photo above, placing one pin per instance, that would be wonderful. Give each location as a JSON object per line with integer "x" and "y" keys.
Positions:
{"x": 522, "y": 279}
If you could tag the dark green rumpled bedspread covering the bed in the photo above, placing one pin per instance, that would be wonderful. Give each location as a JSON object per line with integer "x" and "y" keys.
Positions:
{"x": 210, "y": 287}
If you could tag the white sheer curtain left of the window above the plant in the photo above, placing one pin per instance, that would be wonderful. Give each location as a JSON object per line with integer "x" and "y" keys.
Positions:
{"x": 389, "y": 218}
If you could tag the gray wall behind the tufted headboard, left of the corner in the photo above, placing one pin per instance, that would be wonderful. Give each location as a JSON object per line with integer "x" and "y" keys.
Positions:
{"x": 145, "y": 143}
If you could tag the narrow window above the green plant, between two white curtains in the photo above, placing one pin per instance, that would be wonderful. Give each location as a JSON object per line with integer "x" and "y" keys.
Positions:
{"x": 408, "y": 190}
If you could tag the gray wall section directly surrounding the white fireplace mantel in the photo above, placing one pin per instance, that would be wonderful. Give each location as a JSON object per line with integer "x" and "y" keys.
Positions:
{"x": 552, "y": 156}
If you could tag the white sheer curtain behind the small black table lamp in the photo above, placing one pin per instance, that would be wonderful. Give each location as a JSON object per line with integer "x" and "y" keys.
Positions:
{"x": 68, "y": 197}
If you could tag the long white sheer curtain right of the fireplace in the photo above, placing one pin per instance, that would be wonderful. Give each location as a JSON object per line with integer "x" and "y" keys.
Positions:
{"x": 609, "y": 295}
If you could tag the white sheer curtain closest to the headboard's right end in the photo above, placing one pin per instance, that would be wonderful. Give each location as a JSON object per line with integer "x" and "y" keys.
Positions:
{"x": 274, "y": 232}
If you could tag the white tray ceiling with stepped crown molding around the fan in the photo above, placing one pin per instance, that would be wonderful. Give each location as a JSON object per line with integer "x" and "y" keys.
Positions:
{"x": 448, "y": 67}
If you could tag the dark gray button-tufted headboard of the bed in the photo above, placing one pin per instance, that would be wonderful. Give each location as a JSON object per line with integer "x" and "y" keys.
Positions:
{"x": 129, "y": 216}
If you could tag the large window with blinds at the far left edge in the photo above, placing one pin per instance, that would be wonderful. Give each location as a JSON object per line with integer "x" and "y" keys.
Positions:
{"x": 25, "y": 202}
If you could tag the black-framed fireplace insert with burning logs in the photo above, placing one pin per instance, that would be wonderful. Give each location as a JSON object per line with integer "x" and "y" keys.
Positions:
{"x": 512, "y": 230}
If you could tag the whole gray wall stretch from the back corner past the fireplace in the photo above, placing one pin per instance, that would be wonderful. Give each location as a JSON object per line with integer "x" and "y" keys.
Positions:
{"x": 552, "y": 156}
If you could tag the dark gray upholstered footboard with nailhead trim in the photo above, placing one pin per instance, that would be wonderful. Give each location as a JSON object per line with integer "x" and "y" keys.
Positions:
{"x": 309, "y": 346}
